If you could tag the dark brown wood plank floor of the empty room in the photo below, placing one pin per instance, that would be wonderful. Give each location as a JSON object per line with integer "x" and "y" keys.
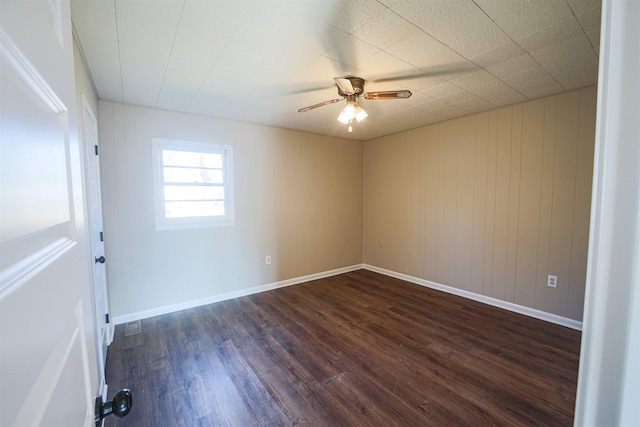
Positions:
{"x": 358, "y": 349}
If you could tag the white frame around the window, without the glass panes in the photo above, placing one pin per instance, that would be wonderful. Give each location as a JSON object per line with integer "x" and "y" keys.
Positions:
{"x": 184, "y": 223}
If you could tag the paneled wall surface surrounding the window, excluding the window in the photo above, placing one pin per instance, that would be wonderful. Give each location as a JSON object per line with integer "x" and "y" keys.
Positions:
{"x": 298, "y": 198}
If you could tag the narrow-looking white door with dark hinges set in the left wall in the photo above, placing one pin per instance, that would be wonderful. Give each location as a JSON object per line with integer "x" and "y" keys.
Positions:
{"x": 96, "y": 236}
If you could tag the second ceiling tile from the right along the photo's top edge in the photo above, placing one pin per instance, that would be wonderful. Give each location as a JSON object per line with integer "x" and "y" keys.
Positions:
{"x": 522, "y": 17}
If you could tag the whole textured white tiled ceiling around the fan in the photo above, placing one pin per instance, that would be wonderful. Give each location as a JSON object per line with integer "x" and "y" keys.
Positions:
{"x": 260, "y": 61}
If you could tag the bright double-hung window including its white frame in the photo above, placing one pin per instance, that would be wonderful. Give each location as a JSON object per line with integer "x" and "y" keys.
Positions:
{"x": 193, "y": 184}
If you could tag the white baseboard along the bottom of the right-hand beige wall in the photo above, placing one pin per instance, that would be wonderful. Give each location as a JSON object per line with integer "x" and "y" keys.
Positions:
{"x": 532, "y": 312}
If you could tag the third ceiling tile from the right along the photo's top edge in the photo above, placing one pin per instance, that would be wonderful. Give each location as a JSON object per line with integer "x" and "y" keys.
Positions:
{"x": 459, "y": 25}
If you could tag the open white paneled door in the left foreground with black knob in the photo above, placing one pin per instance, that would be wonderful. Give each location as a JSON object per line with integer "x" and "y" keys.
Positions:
{"x": 48, "y": 370}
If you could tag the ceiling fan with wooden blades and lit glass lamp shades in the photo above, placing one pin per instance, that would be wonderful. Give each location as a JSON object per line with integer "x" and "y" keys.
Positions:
{"x": 351, "y": 88}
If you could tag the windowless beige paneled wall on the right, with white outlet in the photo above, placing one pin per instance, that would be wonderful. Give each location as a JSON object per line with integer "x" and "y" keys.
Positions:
{"x": 490, "y": 203}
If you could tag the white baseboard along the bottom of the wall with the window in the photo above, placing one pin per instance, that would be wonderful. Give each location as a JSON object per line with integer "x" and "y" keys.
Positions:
{"x": 132, "y": 317}
